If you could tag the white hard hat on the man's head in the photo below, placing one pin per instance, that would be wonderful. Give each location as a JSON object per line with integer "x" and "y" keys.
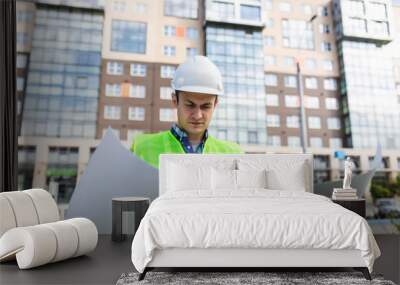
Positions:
{"x": 198, "y": 74}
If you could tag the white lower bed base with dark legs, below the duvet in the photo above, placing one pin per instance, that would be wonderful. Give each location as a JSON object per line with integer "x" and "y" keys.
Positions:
{"x": 234, "y": 259}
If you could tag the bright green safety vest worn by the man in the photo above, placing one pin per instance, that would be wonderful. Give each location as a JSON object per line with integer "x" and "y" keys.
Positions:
{"x": 149, "y": 146}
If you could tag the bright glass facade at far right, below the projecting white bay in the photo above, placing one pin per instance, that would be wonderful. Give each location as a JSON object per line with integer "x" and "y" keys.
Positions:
{"x": 369, "y": 96}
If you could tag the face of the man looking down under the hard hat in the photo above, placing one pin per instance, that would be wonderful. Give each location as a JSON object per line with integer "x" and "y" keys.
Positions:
{"x": 194, "y": 111}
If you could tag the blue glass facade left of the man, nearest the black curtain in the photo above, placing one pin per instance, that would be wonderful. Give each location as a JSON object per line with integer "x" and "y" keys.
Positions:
{"x": 63, "y": 81}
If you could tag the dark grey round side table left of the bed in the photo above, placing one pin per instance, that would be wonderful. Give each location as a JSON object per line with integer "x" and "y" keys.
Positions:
{"x": 139, "y": 205}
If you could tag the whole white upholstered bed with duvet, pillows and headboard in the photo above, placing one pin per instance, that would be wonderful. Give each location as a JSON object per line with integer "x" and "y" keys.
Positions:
{"x": 247, "y": 211}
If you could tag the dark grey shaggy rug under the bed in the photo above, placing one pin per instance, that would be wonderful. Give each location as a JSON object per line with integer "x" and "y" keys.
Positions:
{"x": 269, "y": 278}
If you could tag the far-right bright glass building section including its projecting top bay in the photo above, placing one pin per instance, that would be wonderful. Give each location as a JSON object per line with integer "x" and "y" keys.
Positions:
{"x": 370, "y": 109}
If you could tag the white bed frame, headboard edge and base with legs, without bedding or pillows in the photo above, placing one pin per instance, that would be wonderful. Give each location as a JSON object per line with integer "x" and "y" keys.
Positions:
{"x": 248, "y": 259}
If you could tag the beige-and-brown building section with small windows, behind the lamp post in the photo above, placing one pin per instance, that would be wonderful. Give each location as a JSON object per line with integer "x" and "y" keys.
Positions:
{"x": 301, "y": 32}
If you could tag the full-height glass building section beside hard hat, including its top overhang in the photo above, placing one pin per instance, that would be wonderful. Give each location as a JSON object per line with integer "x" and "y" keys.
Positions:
{"x": 233, "y": 40}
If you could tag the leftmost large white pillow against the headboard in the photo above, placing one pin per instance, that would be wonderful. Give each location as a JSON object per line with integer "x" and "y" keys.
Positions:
{"x": 181, "y": 177}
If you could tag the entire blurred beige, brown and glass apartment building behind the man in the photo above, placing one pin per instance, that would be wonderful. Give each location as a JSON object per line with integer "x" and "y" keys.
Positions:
{"x": 85, "y": 65}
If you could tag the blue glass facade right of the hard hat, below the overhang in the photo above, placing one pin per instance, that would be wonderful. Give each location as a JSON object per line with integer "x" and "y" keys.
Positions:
{"x": 239, "y": 56}
